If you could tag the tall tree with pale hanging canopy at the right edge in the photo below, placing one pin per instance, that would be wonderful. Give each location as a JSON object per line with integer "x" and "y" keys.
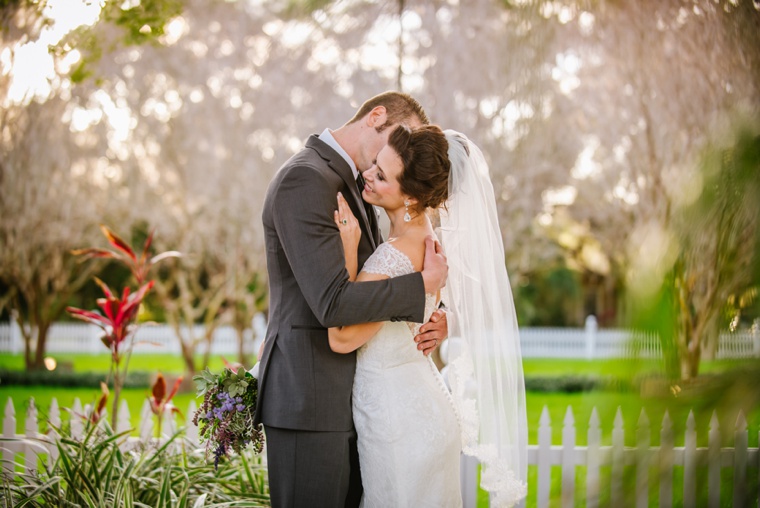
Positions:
{"x": 678, "y": 75}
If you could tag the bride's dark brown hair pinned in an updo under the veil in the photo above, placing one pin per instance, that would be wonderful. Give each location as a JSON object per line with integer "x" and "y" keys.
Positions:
{"x": 424, "y": 154}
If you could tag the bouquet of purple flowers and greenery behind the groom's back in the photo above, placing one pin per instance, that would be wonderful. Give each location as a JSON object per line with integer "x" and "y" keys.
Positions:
{"x": 225, "y": 417}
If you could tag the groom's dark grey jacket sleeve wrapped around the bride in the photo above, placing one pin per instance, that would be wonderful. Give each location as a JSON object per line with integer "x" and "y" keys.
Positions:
{"x": 303, "y": 214}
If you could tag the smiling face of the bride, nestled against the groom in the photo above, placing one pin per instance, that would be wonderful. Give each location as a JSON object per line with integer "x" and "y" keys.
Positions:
{"x": 381, "y": 187}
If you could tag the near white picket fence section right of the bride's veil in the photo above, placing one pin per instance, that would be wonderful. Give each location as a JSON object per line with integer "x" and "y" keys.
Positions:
{"x": 644, "y": 458}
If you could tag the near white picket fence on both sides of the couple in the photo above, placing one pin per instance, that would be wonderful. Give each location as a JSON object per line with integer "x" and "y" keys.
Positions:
{"x": 645, "y": 458}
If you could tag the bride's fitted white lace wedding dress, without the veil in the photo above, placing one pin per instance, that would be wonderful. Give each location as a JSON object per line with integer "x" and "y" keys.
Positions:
{"x": 408, "y": 431}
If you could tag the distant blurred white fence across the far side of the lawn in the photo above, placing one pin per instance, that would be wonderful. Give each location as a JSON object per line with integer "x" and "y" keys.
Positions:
{"x": 588, "y": 342}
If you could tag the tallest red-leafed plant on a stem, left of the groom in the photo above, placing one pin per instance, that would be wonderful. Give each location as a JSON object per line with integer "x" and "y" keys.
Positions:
{"x": 119, "y": 312}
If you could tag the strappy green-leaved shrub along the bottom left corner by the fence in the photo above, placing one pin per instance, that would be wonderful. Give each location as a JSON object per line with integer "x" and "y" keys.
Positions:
{"x": 95, "y": 472}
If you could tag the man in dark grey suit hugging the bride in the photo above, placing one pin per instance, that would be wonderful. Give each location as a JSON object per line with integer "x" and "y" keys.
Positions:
{"x": 304, "y": 388}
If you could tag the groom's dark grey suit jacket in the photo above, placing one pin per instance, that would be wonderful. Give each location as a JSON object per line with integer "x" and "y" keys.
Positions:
{"x": 303, "y": 385}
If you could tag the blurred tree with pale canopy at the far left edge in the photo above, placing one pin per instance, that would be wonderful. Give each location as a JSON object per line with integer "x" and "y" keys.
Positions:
{"x": 42, "y": 217}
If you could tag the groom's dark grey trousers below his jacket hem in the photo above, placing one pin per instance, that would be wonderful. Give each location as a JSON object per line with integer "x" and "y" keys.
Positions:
{"x": 313, "y": 469}
